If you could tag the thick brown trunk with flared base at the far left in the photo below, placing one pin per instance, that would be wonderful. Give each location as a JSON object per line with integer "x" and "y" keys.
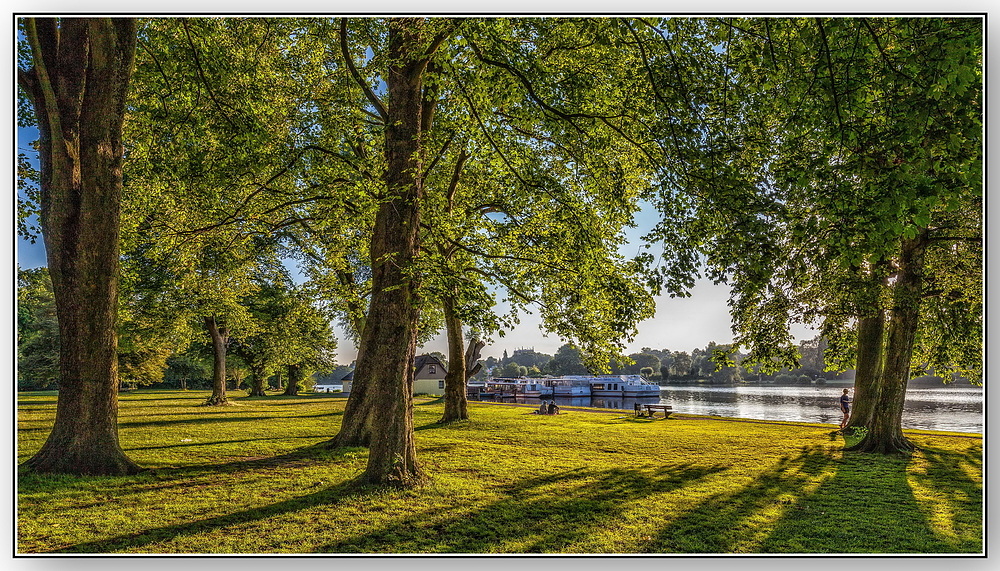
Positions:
{"x": 78, "y": 82}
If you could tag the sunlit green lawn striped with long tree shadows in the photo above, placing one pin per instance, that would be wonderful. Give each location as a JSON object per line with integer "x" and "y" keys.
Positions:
{"x": 255, "y": 478}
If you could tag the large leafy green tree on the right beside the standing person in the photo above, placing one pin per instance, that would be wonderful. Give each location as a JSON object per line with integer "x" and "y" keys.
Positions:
{"x": 850, "y": 146}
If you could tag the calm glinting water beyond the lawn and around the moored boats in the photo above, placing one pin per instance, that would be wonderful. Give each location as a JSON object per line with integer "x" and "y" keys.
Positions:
{"x": 957, "y": 409}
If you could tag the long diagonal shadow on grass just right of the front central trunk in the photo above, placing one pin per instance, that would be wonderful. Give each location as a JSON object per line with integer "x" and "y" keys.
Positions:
{"x": 530, "y": 515}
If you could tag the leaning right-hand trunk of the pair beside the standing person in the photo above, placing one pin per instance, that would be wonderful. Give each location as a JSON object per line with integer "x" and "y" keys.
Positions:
{"x": 885, "y": 429}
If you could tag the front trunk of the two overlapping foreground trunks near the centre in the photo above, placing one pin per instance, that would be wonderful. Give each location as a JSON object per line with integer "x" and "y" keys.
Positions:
{"x": 384, "y": 371}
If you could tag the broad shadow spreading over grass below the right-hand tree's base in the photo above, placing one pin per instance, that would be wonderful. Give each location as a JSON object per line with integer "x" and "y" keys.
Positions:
{"x": 864, "y": 505}
